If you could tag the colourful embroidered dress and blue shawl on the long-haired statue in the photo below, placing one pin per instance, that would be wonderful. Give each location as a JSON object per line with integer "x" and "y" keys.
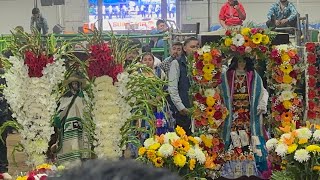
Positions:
{"x": 243, "y": 135}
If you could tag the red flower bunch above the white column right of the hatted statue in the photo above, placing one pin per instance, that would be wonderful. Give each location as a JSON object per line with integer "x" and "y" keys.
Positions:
{"x": 101, "y": 62}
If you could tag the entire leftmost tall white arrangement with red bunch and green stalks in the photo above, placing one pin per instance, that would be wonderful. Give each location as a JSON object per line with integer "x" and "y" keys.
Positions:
{"x": 33, "y": 75}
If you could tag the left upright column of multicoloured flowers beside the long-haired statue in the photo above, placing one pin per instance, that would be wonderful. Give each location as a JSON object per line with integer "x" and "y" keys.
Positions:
{"x": 209, "y": 112}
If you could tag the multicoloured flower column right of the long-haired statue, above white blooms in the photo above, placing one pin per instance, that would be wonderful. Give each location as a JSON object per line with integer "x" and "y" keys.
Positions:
{"x": 284, "y": 73}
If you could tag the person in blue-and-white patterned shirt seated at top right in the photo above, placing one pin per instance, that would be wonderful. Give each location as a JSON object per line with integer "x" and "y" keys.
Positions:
{"x": 282, "y": 14}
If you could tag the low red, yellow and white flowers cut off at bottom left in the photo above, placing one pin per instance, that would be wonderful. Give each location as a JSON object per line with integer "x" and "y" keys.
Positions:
{"x": 42, "y": 172}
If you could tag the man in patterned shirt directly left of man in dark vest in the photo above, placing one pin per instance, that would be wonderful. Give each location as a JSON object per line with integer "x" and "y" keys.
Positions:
{"x": 175, "y": 53}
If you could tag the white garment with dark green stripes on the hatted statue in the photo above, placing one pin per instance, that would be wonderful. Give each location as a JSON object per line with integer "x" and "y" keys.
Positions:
{"x": 73, "y": 143}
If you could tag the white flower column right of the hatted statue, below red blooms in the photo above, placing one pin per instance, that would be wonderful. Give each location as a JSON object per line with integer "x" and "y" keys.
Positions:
{"x": 110, "y": 112}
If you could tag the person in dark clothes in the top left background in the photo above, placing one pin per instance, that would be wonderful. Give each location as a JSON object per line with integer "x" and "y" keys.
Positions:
{"x": 38, "y": 22}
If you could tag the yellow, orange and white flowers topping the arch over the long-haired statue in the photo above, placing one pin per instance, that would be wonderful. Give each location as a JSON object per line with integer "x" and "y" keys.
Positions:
{"x": 250, "y": 42}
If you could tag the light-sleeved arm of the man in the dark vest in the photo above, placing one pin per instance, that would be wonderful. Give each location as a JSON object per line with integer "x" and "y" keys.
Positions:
{"x": 174, "y": 75}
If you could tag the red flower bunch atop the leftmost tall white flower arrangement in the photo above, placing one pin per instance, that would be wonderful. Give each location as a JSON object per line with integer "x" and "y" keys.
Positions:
{"x": 36, "y": 63}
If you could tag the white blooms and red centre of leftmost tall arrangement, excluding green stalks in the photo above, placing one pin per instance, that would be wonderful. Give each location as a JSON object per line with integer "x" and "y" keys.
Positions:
{"x": 30, "y": 94}
